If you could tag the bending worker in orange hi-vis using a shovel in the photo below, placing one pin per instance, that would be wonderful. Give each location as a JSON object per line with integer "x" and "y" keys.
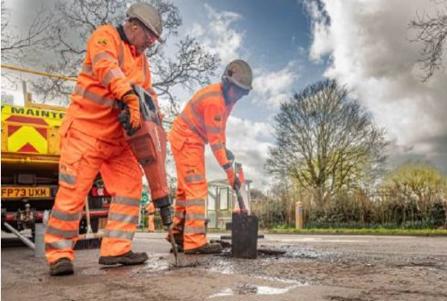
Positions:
{"x": 203, "y": 121}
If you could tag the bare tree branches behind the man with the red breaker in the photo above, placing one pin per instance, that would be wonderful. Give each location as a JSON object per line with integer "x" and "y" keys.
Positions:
{"x": 74, "y": 21}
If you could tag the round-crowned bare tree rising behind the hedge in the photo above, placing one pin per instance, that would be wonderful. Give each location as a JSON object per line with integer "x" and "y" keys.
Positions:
{"x": 325, "y": 142}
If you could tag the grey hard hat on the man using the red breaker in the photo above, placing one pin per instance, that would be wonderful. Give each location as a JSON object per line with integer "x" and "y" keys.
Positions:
{"x": 148, "y": 15}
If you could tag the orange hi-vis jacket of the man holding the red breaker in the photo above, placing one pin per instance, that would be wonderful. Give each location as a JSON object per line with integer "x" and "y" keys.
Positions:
{"x": 111, "y": 66}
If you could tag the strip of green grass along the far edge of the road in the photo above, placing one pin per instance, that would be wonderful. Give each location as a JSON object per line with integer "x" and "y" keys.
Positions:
{"x": 361, "y": 231}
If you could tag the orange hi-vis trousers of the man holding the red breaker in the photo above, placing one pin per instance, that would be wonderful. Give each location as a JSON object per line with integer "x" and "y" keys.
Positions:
{"x": 82, "y": 157}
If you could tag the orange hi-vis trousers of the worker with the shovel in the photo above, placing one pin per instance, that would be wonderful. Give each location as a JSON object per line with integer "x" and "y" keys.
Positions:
{"x": 192, "y": 190}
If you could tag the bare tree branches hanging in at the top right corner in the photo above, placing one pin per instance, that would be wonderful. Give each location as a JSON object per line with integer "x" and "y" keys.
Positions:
{"x": 432, "y": 32}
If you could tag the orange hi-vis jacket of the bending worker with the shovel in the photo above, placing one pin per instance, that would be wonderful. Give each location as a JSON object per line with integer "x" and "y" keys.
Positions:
{"x": 205, "y": 116}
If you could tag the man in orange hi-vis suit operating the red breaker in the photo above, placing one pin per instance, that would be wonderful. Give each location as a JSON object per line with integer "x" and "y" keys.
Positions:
{"x": 92, "y": 141}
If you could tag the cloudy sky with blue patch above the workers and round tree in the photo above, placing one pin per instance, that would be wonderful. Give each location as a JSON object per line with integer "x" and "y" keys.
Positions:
{"x": 365, "y": 46}
